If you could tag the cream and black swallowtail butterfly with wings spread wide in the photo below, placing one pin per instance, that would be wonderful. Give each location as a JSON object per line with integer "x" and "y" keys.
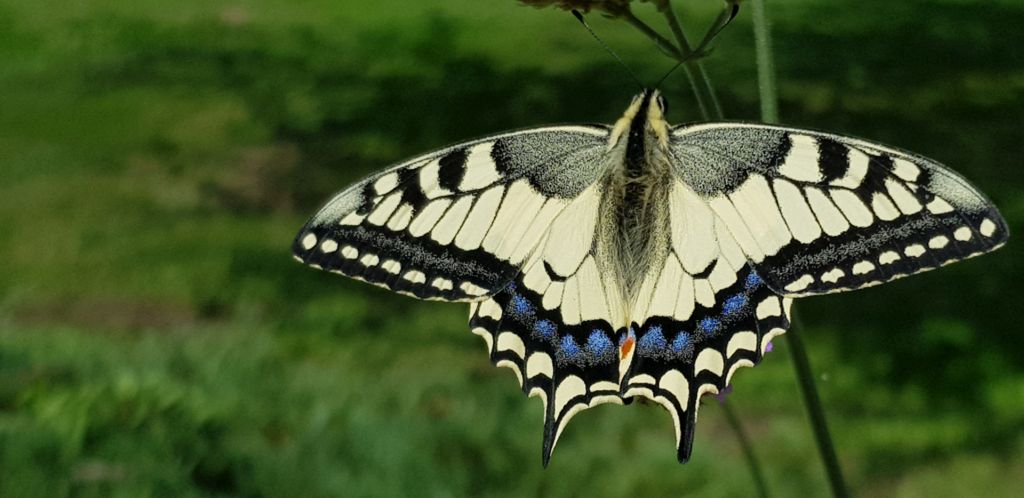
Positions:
{"x": 604, "y": 264}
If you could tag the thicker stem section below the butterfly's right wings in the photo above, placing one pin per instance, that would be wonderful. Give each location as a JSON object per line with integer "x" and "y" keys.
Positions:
{"x": 814, "y": 405}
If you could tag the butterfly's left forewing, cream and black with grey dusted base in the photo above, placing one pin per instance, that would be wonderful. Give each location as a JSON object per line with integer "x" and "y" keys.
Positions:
{"x": 455, "y": 225}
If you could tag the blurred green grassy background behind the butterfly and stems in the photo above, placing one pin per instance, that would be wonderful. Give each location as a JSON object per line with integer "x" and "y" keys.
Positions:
{"x": 157, "y": 340}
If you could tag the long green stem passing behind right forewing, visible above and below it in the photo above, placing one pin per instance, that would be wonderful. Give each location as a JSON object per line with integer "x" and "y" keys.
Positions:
{"x": 802, "y": 365}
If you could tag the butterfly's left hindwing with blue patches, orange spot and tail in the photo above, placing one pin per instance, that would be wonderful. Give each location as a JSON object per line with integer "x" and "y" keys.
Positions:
{"x": 558, "y": 326}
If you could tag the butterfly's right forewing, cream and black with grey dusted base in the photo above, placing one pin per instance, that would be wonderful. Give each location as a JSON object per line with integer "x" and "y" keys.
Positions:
{"x": 820, "y": 214}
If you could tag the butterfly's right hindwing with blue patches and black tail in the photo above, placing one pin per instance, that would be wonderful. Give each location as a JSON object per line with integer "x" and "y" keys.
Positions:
{"x": 699, "y": 318}
